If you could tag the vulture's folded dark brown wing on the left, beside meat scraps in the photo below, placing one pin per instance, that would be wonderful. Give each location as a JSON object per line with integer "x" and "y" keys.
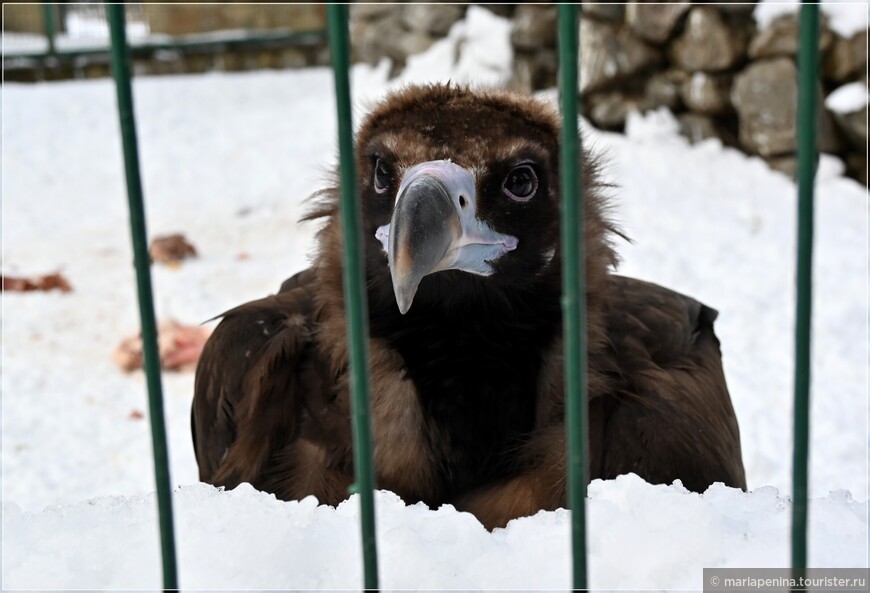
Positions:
{"x": 247, "y": 396}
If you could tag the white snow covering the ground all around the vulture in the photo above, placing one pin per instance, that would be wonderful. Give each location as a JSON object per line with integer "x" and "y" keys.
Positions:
{"x": 228, "y": 160}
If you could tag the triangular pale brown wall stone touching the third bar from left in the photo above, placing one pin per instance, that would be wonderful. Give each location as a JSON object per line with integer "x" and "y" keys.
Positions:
{"x": 609, "y": 54}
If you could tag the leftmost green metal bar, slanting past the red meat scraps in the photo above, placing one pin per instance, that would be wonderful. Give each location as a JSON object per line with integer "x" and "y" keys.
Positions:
{"x": 121, "y": 71}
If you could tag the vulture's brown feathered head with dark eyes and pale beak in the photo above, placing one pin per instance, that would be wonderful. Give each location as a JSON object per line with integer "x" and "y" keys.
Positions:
{"x": 460, "y": 200}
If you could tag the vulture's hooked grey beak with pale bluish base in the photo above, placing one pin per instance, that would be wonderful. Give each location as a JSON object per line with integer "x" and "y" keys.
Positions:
{"x": 434, "y": 227}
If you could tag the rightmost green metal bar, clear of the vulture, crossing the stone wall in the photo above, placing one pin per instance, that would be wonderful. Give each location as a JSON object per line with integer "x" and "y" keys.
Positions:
{"x": 808, "y": 80}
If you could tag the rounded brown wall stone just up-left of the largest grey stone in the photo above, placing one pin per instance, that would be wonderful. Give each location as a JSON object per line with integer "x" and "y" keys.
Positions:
{"x": 707, "y": 43}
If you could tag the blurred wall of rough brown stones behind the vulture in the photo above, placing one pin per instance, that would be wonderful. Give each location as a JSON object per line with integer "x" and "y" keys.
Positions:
{"x": 707, "y": 63}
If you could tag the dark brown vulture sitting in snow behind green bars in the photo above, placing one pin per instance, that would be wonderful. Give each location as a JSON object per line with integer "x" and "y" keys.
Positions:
{"x": 459, "y": 194}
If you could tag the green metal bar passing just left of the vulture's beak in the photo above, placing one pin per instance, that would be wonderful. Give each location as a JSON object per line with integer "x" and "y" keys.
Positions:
{"x": 354, "y": 293}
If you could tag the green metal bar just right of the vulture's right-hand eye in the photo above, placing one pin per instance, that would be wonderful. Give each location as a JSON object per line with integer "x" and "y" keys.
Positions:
{"x": 573, "y": 290}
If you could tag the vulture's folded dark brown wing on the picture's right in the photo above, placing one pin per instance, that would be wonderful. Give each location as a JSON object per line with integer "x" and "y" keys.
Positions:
{"x": 673, "y": 418}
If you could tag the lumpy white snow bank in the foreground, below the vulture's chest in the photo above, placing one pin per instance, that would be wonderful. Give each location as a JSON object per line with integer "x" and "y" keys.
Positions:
{"x": 244, "y": 539}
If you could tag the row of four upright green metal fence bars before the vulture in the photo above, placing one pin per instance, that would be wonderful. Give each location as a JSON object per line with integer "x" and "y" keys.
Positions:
{"x": 573, "y": 300}
